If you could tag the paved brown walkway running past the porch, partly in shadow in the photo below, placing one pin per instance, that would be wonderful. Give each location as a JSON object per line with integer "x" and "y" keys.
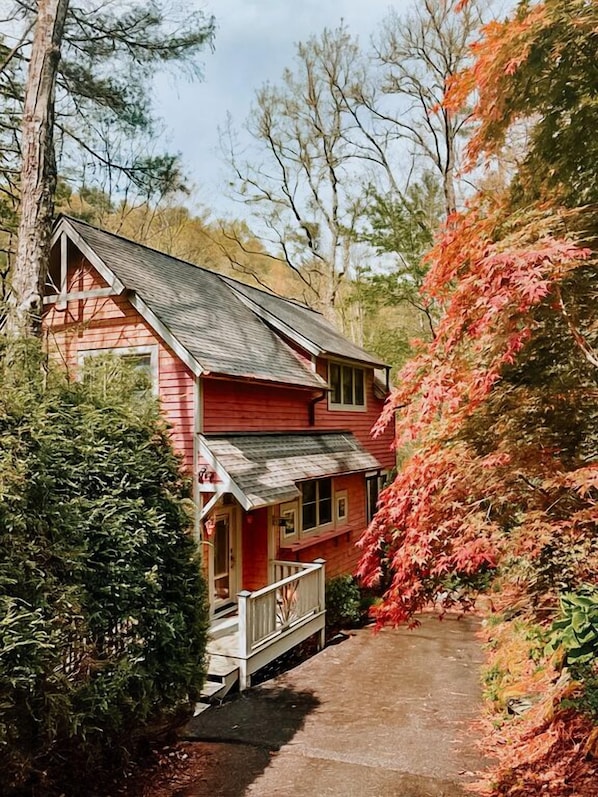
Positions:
{"x": 383, "y": 715}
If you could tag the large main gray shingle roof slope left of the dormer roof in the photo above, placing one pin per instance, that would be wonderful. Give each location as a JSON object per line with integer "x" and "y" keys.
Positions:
{"x": 202, "y": 312}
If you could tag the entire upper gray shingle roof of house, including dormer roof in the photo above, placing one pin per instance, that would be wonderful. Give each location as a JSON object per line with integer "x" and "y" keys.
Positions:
{"x": 220, "y": 323}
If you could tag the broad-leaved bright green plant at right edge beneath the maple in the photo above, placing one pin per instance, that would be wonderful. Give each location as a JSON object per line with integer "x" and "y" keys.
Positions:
{"x": 576, "y": 628}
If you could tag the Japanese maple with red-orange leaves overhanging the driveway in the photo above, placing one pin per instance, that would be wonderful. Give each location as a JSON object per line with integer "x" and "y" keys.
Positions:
{"x": 496, "y": 417}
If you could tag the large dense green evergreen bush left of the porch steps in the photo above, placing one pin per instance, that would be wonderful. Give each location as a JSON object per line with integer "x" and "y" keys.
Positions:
{"x": 103, "y": 616}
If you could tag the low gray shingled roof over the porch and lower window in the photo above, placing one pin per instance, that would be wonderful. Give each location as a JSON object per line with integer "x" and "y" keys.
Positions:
{"x": 266, "y": 467}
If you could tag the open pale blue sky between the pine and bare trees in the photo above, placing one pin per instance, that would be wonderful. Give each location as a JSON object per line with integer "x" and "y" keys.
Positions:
{"x": 253, "y": 44}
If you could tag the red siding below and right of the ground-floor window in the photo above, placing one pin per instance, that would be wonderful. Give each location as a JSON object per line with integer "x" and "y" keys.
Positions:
{"x": 340, "y": 551}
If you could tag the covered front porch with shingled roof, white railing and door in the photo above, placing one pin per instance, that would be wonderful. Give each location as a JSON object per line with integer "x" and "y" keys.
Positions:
{"x": 264, "y": 604}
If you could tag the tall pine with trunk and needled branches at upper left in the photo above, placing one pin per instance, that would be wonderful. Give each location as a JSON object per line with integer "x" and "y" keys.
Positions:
{"x": 76, "y": 84}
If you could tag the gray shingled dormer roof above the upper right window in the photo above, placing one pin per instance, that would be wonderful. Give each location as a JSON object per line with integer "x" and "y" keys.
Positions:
{"x": 310, "y": 324}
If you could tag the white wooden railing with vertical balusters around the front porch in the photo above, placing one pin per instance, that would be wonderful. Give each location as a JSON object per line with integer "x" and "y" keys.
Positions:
{"x": 274, "y": 619}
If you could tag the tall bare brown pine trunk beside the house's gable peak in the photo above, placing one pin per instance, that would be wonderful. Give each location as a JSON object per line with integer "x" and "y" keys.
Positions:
{"x": 38, "y": 172}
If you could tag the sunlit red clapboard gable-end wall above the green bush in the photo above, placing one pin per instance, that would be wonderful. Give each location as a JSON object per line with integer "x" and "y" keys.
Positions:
{"x": 112, "y": 322}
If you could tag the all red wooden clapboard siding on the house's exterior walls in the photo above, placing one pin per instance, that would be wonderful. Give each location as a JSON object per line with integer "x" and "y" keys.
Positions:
{"x": 228, "y": 406}
